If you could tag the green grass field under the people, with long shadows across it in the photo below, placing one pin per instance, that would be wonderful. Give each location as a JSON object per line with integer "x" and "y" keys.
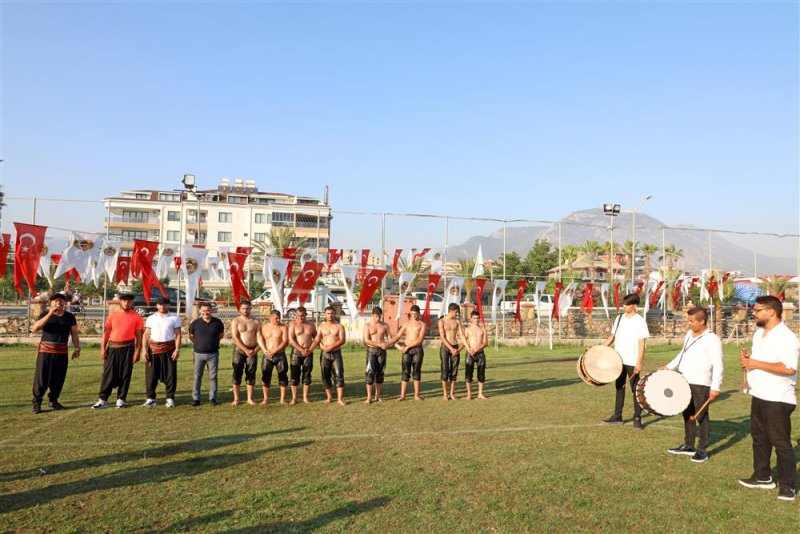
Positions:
{"x": 533, "y": 457}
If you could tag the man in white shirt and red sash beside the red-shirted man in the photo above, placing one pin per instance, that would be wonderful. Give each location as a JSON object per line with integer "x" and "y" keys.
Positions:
{"x": 161, "y": 347}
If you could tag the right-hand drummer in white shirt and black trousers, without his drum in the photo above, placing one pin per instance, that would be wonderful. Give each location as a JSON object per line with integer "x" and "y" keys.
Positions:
{"x": 700, "y": 362}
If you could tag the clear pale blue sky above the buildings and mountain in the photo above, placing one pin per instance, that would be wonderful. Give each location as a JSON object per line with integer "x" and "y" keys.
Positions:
{"x": 512, "y": 110}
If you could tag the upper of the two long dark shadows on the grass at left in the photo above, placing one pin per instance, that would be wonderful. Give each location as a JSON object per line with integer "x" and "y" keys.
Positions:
{"x": 204, "y": 444}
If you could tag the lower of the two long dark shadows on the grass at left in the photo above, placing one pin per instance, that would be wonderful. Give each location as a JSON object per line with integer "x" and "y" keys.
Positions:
{"x": 153, "y": 474}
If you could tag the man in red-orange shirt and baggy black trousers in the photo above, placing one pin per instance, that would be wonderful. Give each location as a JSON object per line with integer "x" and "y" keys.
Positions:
{"x": 122, "y": 340}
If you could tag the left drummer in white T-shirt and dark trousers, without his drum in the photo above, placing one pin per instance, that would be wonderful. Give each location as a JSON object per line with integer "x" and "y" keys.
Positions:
{"x": 628, "y": 333}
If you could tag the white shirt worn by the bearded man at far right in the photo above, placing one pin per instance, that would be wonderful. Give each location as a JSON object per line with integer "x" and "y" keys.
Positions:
{"x": 780, "y": 345}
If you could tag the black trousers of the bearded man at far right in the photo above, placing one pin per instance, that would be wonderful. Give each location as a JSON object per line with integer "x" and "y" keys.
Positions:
{"x": 771, "y": 426}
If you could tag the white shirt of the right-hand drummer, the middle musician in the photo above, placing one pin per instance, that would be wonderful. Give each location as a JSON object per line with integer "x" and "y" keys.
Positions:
{"x": 700, "y": 360}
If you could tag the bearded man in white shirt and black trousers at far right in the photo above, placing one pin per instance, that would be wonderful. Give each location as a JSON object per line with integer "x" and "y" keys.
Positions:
{"x": 771, "y": 372}
